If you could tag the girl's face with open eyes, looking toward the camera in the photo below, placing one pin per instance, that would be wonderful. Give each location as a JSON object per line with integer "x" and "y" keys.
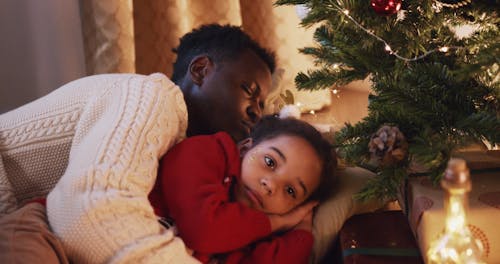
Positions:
{"x": 278, "y": 174}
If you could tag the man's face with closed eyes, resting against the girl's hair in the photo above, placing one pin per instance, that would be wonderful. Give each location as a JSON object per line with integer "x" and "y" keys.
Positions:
{"x": 234, "y": 92}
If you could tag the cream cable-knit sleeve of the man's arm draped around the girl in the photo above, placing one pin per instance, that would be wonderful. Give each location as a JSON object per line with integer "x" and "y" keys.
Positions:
{"x": 99, "y": 209}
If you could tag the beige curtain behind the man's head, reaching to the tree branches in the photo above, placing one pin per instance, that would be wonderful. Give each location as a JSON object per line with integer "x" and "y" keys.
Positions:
{"x": 138, "y": 36}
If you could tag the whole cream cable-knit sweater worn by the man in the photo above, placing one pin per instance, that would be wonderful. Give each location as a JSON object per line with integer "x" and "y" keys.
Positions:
{"x": 105, "y": 134}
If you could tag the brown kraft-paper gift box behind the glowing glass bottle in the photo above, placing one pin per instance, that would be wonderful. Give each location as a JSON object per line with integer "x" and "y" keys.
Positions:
{"x": 422, "y": 201}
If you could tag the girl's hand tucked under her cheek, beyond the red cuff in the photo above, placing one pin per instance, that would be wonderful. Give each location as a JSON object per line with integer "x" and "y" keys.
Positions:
{"x": 292, "y": 218}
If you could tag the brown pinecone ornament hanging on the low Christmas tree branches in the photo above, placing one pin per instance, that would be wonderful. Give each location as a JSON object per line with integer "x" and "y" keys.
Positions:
{"x": 388, "y": 146}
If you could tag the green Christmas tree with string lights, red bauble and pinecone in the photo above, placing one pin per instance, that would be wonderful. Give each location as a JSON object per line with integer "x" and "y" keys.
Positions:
{"x": 434, "y": 69}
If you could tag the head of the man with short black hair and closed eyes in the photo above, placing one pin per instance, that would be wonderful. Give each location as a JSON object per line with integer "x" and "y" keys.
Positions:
{"x": 225, "y": 78}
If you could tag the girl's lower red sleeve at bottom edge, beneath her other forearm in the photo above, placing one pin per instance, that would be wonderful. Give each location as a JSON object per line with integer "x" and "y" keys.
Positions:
{"x": 292, "y": 247}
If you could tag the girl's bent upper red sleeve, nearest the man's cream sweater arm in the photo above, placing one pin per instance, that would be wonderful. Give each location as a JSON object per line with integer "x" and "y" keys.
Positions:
{"x": 192, "y": 183}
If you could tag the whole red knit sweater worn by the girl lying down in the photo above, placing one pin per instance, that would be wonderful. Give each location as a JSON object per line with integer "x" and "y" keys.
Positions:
{"x": 193, "y": 187}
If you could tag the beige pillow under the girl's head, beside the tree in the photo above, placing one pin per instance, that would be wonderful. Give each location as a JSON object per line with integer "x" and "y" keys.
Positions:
{"x": 332, "y": 213}
